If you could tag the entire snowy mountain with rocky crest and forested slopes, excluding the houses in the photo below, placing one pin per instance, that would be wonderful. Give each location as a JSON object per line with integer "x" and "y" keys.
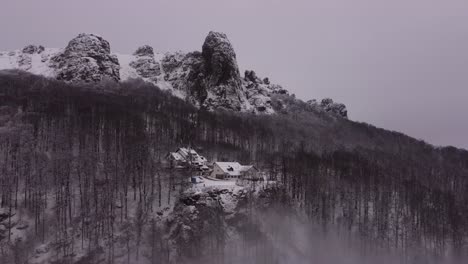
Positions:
{"x": 86, "y": 176}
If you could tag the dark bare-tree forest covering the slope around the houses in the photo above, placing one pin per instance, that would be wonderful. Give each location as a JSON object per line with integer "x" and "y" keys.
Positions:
{"x": 86, "y": 158}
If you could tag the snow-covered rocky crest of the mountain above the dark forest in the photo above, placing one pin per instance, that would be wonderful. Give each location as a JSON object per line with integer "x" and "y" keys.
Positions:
{"x": 209, "y": 79}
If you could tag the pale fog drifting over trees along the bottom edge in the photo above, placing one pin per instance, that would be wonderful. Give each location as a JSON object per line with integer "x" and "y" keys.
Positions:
{"x": 286, "y": 237}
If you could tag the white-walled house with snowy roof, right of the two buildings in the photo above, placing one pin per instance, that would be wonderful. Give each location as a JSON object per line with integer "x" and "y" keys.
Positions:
{"x": 233, "y": 171}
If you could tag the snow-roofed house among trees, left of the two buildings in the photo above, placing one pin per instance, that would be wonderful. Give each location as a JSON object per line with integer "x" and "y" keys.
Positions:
{"x": 187, "y": 158}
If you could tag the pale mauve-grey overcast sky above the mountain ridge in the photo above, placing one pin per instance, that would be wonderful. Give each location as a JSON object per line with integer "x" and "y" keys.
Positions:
{"x": 400, "y": 64}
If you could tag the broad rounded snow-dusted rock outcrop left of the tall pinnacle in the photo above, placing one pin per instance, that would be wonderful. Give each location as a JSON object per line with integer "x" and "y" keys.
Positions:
{"x": 86, "y": 58}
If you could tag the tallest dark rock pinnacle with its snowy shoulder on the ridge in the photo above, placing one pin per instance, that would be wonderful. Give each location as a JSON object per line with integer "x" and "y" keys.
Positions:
{"x": 212, "y": 76}
